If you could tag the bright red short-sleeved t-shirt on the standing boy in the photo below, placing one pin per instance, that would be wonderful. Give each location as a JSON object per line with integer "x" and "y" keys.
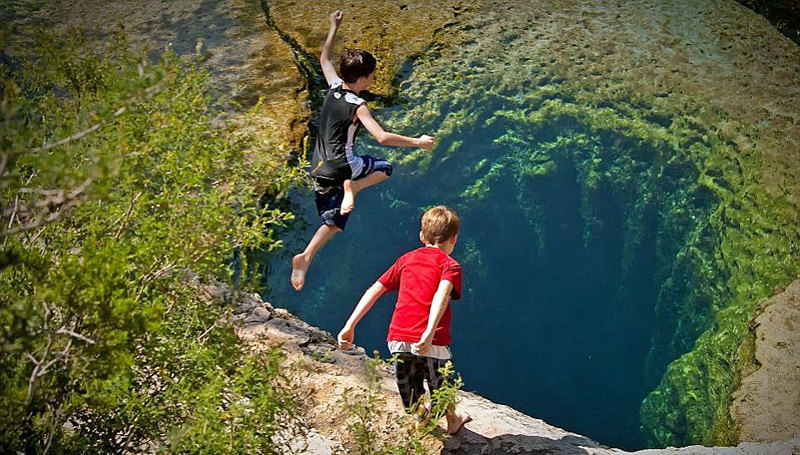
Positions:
{"x": 417, "y": 275}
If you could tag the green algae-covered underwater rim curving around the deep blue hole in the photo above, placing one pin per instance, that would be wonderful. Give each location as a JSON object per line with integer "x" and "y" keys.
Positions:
{"x": 725, "y": 238}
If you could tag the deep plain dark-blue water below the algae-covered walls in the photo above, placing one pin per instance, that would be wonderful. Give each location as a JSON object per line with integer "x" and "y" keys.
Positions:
{"x": 551, "y": 323}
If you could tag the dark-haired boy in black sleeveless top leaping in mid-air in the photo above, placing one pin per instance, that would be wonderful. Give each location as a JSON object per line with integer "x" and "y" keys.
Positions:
{"x": 339, "y": 173}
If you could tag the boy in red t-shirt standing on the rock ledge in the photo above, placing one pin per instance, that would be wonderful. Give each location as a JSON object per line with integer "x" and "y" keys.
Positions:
{"x": 427, "y": 279}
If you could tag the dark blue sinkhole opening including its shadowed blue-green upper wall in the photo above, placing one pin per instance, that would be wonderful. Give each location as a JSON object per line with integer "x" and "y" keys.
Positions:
{"x": 563, "y": 263}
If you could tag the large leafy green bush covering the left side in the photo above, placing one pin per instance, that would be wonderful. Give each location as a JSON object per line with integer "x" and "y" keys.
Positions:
{"x": 114, "y": 184}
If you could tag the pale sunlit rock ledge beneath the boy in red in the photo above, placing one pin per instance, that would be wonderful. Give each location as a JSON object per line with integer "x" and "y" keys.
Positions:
{"x": 321, "y": 372}
